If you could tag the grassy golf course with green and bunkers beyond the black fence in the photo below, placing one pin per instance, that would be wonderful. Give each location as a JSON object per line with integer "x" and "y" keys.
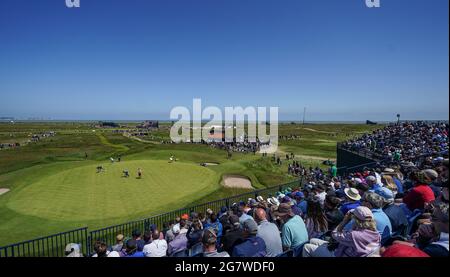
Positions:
{"x": 53, "y": 185}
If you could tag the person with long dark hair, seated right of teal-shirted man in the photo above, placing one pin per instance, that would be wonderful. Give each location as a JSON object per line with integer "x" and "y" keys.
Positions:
{"x": 315, "y": 219}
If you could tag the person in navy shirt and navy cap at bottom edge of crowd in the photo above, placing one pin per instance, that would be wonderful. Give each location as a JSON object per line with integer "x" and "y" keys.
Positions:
{"x": 252, "y": 246}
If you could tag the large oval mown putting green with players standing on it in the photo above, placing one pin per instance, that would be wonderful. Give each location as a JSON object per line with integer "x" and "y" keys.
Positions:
{"x": 83, "y": 194}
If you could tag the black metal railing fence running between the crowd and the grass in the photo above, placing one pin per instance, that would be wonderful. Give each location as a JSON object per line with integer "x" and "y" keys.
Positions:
{"x": 54, "y": 245}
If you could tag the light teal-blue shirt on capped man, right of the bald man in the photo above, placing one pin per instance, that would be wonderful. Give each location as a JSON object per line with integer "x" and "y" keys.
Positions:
{"x": 294, "y": 233}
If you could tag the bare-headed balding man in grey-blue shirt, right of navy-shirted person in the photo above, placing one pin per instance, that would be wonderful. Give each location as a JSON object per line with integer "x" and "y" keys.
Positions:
{"x": 269, "y": 233}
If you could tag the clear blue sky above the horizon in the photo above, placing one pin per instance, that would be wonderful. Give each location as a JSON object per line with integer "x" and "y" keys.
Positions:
{"x": 136, "y": 59}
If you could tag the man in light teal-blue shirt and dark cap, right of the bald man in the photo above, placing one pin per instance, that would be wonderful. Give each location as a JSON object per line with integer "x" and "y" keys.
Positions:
{"x": 293, "y": 230}
